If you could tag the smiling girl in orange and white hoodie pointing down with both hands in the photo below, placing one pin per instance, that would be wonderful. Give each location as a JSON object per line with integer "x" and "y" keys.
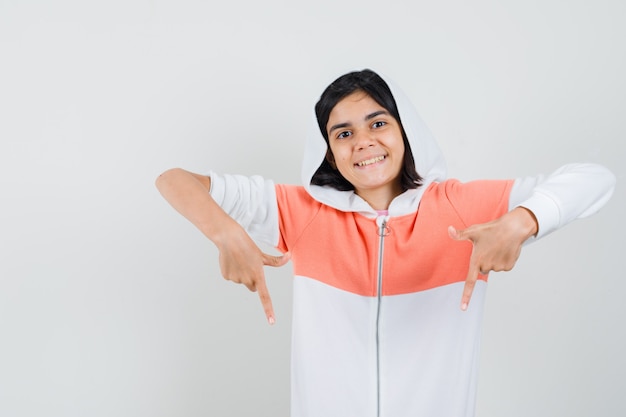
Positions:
{"x": 383, "y": 249}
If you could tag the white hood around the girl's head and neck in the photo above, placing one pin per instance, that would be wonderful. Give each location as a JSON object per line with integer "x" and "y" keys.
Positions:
{"x": 429, "y": 162}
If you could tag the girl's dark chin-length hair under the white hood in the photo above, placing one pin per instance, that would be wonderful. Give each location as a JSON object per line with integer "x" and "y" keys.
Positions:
{"x": 370, "y": 83}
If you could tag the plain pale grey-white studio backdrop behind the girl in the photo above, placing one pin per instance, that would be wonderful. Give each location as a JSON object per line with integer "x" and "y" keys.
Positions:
{"x": 111, "y": 304}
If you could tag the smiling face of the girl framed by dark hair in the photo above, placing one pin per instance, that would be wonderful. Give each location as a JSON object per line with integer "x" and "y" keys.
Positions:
{"x": 366, "y": 142}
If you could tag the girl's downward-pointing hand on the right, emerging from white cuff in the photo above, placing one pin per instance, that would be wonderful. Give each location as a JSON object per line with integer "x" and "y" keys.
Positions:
{"x": 497, "y": 245}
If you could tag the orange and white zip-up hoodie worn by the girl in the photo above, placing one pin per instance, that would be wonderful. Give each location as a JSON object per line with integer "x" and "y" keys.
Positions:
{"x": 377, "y": 328}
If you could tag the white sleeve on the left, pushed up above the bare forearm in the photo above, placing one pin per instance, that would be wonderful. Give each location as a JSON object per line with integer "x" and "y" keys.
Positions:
{"x": 250, "y": 201}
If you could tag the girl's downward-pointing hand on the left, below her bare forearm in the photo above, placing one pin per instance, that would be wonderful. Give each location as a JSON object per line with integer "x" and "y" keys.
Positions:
{"x": 242, "y": 261}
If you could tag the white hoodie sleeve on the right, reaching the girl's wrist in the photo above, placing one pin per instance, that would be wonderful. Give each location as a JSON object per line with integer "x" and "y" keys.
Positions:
{"x": 571, "y": 192}
